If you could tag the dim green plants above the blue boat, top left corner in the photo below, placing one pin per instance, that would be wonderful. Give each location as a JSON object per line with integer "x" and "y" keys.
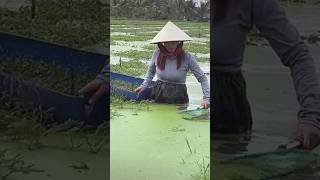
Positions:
{"x": 74, "y": 23}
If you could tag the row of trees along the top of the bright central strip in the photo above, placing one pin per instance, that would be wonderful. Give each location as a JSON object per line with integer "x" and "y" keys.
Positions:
{"x": 161, "y": 9}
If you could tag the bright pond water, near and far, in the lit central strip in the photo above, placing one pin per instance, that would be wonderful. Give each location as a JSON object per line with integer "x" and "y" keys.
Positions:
{"x": 158, "y": 143}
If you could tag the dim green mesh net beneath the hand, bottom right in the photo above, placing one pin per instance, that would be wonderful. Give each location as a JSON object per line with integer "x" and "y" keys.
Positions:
{"x": 264, "y": 166}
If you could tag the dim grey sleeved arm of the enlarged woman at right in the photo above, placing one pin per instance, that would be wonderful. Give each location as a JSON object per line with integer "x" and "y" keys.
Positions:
{"x": 284, "y": 38}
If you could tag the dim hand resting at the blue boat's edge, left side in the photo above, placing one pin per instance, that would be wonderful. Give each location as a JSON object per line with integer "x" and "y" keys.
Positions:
{"x": 98, "y": 87}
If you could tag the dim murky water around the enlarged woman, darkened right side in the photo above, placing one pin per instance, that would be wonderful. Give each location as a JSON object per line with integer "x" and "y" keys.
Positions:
{"x": 272, "y": 96}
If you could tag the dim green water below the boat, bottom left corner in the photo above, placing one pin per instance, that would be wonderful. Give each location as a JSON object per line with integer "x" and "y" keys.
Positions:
{"x": 56, "y": 160}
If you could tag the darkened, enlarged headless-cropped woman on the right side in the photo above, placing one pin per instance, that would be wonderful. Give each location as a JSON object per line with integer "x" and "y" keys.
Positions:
{"x": 233, "y": 19}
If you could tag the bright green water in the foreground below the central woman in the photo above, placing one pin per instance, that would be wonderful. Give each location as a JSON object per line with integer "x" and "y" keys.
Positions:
{"x": 152, "y": 145}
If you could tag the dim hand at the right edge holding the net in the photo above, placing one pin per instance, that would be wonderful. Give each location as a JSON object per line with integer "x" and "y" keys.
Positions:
{"x": 308, "y": 135}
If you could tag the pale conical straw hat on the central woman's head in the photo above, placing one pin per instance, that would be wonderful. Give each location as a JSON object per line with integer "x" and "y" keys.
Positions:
{"x": 170, "y": 32}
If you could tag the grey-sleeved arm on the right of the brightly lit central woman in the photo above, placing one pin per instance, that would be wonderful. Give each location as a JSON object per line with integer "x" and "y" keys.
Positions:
{"x": 201, "y": 77}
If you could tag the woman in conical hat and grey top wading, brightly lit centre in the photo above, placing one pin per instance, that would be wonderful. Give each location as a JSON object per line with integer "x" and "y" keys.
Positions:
{"x": 171, "y": 64}
